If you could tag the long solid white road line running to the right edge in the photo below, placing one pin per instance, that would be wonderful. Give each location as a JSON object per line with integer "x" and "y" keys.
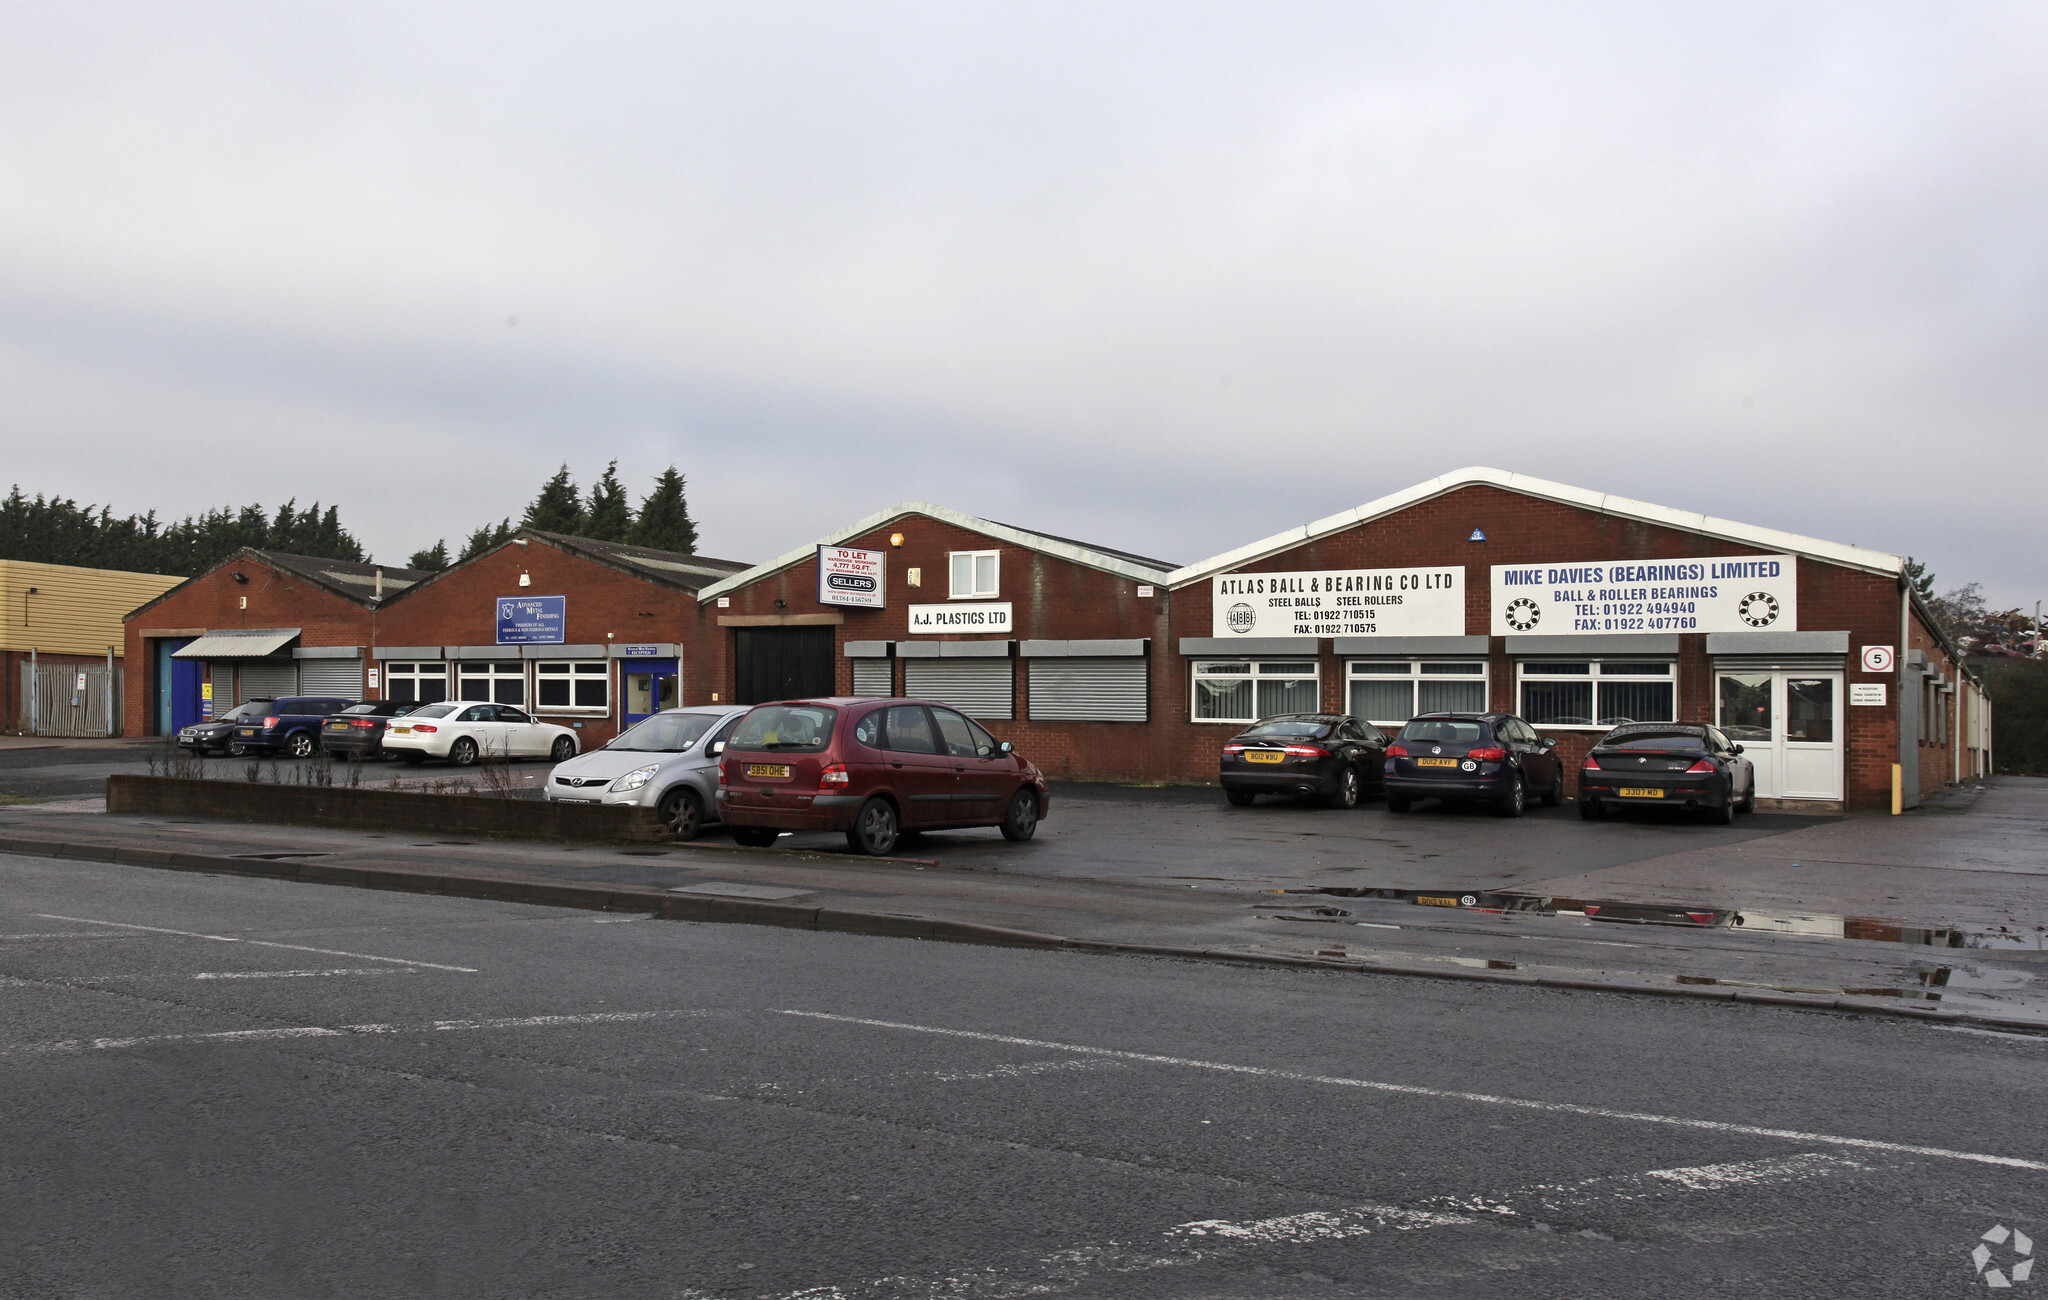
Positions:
{"x": 1441, "y": 1094}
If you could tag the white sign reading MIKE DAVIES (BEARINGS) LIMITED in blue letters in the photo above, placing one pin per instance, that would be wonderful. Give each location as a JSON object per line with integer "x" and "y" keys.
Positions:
{"x": 1711, "y": 595}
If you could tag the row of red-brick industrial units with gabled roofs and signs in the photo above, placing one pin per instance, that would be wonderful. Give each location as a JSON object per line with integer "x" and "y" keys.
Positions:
{"x": 1476, "y": 591}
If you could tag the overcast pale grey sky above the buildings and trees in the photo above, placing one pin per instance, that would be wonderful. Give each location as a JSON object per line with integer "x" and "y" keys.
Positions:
{"x": 1166, "y": 277}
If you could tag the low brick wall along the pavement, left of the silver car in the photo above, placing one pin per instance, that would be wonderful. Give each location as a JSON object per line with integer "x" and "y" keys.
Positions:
{"x": 384, "y": 810}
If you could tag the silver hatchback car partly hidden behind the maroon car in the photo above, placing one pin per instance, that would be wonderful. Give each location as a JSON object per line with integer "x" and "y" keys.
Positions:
{"x": 669, "y": 763}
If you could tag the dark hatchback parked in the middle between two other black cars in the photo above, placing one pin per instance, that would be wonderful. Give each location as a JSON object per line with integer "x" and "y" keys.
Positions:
{"x": 1474, "y": 756}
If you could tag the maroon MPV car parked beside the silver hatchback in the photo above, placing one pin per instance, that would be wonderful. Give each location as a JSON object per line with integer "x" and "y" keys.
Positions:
{"x": 876, "y": 771}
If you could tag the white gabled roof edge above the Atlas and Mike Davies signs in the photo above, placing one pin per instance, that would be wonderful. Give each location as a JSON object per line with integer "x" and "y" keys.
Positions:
{"x": 1684, "y": 521}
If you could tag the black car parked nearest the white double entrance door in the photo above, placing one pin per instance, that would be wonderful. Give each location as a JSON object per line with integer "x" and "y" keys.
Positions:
{"x": 1672, "y": 767}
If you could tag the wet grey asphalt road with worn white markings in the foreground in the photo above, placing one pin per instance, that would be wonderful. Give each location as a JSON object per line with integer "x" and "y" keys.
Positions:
{"x": 243, "y": 1088}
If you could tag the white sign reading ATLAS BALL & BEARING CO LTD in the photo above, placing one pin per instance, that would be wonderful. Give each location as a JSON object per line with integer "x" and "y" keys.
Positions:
{"x": 1340, "y": 603}
